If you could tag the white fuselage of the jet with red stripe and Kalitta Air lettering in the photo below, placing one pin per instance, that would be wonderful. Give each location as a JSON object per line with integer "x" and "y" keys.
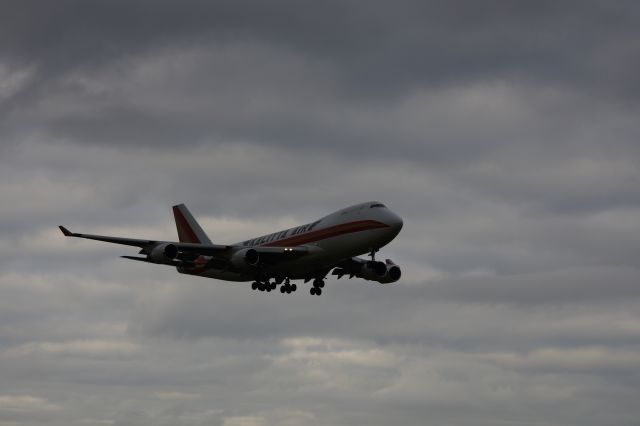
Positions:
{"x": 349, "y": 232}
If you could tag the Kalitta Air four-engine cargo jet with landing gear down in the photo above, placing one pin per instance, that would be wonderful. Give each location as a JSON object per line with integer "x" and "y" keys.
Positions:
{"x": 307, "y": 252}
